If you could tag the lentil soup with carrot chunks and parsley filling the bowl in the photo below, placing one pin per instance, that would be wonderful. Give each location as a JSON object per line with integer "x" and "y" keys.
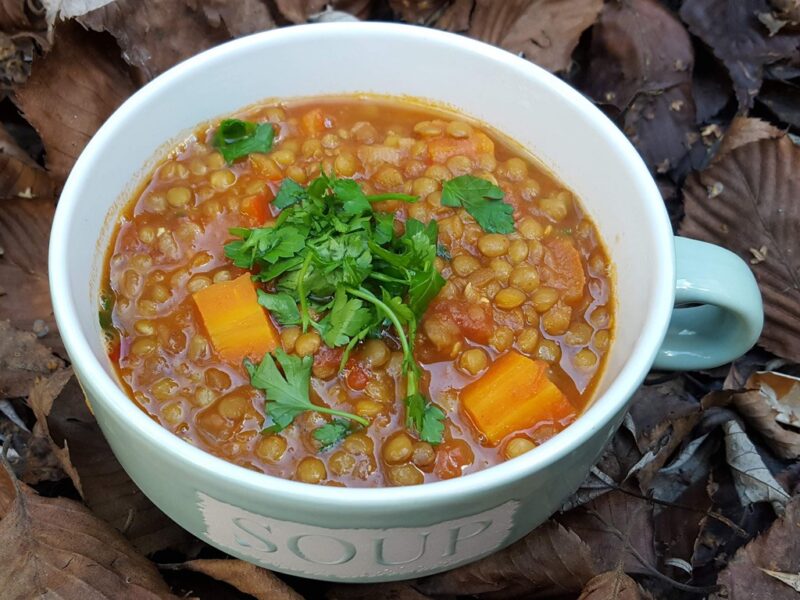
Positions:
{"x": 357, "y": 291}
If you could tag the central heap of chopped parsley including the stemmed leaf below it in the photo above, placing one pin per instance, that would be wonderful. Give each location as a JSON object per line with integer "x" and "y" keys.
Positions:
{"x": 346, "y": 272}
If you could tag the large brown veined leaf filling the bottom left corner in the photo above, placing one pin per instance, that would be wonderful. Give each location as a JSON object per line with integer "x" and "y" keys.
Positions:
{"x": 58, "y": 548}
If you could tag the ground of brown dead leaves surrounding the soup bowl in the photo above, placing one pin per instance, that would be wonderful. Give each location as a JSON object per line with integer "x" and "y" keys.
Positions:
{"x": 697, "y": 493}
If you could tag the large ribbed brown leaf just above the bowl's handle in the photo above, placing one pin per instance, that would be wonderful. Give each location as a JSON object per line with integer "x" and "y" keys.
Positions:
{"x": 754, "y": 212}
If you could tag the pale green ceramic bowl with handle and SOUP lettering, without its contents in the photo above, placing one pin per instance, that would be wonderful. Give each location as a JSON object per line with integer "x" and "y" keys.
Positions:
{"x": 680, "y": 303}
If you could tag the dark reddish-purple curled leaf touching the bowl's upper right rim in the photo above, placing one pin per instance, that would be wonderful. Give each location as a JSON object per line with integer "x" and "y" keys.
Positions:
{"x": 641, "y": 63}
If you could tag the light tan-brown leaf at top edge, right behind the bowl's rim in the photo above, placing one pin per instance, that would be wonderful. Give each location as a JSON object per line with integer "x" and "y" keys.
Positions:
{"x": 543, "y": 31}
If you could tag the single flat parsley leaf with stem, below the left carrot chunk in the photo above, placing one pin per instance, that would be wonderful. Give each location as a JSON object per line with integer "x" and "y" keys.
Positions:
{"x": 287, "y": 392}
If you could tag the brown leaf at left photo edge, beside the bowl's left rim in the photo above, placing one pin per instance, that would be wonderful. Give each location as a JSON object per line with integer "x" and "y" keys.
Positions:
{"x": 24, "y": 234}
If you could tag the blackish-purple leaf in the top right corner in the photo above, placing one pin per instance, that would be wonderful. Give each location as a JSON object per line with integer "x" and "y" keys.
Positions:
{"x": 737, "y": 38}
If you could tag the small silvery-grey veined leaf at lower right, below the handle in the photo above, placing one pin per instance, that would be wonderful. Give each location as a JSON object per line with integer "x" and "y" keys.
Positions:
{"x": 754, "y": 482}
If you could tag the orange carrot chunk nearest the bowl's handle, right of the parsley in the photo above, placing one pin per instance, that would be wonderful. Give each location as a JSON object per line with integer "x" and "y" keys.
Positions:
{"x": 513, "y": 395}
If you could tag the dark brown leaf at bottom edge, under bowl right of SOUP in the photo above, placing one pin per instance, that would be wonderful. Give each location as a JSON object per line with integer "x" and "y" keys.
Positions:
{"x": 549, "y": 561}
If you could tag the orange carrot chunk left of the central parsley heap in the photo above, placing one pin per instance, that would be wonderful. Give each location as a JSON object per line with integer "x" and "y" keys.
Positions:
{"x": 236, "y": 323}
